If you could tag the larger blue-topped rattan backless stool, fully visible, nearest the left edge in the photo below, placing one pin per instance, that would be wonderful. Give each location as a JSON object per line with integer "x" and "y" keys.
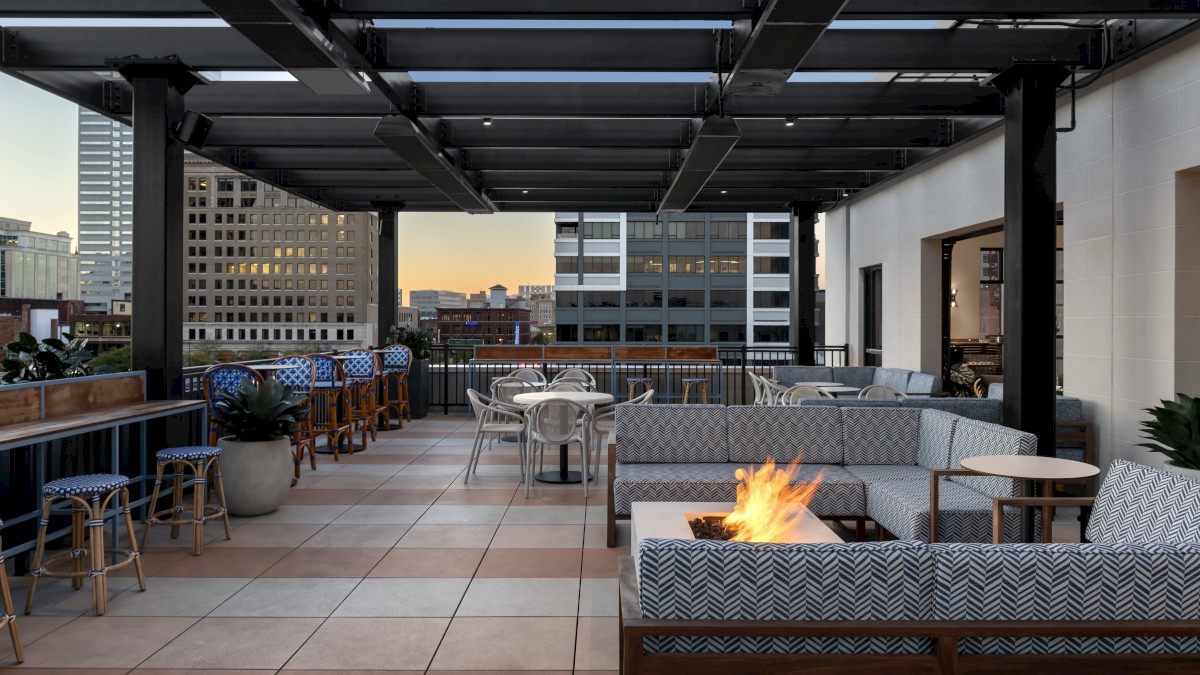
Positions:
{"x": 89, "y": 497}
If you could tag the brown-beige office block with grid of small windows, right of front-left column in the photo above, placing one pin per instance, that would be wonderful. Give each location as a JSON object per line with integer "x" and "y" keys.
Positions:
{"x": 272, "y": 272}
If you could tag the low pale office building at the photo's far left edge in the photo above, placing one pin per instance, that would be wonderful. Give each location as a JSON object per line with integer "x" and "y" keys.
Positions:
{"x": 37, "y": 266}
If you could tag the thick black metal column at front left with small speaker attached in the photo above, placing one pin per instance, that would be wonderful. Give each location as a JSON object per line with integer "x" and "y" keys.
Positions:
{"x": 159, "y": 88}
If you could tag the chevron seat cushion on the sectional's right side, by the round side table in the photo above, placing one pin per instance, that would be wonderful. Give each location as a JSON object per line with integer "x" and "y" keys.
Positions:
{"x": 963, "y": 516}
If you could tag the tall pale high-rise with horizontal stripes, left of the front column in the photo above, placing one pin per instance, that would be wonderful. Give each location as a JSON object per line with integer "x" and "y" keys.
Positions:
{"x": 106, "y": 211}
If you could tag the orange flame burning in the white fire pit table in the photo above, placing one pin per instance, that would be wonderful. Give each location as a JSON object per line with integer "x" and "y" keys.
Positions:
{"x": 757, "y": 517}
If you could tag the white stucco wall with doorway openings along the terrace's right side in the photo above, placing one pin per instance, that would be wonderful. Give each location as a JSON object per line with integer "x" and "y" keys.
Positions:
{"x": 1131, "y": 240}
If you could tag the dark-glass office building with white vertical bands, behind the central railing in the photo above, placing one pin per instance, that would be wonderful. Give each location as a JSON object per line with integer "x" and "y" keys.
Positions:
{"x": 687, "y": 279}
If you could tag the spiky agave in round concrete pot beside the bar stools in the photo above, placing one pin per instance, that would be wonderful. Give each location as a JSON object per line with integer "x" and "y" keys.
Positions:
{"x": 256, "y": 456}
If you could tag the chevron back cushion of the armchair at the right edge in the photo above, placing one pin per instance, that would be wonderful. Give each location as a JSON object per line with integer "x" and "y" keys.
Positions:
{"x": 1138, "y": 504}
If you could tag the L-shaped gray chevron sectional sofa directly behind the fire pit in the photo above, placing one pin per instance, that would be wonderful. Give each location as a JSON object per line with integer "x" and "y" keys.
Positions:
{"x": 877, "y": 462}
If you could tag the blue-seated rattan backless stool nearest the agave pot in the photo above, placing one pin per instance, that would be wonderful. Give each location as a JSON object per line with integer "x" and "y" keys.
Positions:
{"x": 200, "y": 461}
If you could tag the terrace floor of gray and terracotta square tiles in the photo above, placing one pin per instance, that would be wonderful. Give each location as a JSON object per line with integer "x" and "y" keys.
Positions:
{"x": 385, "y": 561}
